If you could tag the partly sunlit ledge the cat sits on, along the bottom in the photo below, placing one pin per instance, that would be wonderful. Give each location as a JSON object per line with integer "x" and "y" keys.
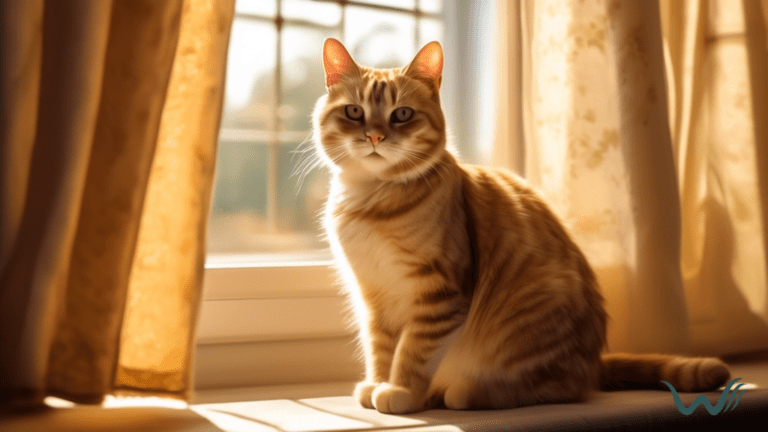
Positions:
{"x": 327, "y": 407}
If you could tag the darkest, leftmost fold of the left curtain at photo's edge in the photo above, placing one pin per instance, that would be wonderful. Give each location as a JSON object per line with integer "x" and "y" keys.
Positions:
{"x": 33, "y": 283}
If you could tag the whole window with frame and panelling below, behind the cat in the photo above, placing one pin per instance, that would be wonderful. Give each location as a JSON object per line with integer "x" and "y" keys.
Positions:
{"x": 271, "y": 308}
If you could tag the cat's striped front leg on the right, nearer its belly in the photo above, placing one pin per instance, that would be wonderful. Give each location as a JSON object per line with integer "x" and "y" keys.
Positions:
{"x": 406, "y": 390}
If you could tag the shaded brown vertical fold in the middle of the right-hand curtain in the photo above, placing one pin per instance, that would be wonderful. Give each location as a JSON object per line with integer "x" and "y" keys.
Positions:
{"x": 658, "y": 315}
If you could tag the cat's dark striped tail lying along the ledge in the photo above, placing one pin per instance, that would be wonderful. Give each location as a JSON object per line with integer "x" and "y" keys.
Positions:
{"x": 646, "y": 371}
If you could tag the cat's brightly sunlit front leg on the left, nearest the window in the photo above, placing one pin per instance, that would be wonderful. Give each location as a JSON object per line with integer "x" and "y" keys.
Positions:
{"x": 379, "y": 345}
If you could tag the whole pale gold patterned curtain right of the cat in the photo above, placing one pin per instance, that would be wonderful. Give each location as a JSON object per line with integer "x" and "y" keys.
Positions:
{"x": 645, "y": 124}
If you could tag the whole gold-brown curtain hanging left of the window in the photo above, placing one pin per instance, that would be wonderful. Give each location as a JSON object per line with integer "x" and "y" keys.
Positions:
{"x": 110, "y": 115}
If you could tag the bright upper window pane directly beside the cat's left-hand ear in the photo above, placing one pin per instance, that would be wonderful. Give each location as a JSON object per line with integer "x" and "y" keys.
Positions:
{"x": 303, "y": 79}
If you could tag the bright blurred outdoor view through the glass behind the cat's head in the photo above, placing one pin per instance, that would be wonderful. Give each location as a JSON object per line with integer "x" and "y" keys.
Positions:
{"x": 263, "y": 204}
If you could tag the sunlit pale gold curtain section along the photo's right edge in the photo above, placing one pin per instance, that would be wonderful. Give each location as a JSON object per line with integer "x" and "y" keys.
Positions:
{"x": 723, "y": 242}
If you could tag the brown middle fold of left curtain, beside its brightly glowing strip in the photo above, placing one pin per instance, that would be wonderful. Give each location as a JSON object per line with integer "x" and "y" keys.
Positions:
{"x": 140, "y": 53}
